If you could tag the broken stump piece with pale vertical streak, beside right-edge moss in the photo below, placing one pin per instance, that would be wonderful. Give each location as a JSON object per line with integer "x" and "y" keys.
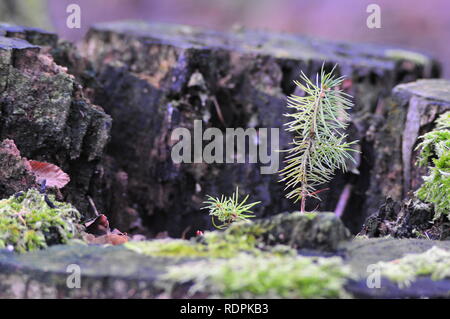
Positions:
{"x": 420, "y": 104}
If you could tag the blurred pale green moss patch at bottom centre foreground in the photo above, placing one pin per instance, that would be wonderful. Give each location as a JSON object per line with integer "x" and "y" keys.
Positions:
{"x": 250, "y": 276}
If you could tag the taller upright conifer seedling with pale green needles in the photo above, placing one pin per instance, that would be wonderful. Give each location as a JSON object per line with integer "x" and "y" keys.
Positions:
{"x": 319, "y": 146}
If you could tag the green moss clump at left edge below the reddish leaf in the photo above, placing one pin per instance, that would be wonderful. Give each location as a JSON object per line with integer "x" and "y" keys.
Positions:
{"x": 28, "y": 223}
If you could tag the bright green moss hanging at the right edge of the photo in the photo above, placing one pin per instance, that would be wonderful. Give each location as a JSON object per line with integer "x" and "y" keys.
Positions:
{"x": 435, "y": 154}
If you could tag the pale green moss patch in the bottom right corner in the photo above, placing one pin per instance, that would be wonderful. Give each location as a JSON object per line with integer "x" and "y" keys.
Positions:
{"x": 435, "y": 262}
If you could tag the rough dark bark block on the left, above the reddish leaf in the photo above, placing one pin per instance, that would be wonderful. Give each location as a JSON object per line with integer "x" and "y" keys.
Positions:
{"x": 43, "y": 110}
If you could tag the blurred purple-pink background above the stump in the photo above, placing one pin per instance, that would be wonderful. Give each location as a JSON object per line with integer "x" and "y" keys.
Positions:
{"x": 414, "y": 24}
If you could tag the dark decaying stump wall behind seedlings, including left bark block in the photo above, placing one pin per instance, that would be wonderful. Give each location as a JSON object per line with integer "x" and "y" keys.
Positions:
{"x": 152, "y": 78}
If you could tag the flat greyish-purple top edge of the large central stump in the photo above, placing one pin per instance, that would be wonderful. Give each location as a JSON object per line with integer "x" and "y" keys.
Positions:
{"x": 279, "y": 45}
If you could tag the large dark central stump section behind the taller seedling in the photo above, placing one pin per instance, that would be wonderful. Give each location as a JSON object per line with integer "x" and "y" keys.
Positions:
{"x": 155, "y": 78}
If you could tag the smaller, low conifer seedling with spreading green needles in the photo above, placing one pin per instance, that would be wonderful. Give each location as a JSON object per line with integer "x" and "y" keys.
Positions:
{"x": 228, "y": 209}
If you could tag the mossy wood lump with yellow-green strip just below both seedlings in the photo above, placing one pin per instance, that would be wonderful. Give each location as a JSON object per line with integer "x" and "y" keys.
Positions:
{"x": 281, "y": 234}
